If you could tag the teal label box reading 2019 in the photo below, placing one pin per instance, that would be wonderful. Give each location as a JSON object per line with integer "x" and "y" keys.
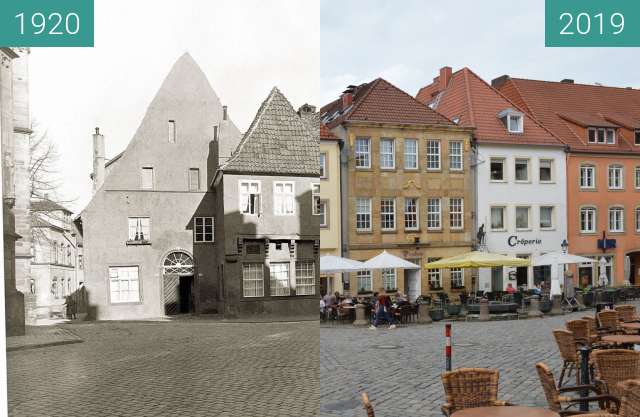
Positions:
{"x": 608, "y": 23}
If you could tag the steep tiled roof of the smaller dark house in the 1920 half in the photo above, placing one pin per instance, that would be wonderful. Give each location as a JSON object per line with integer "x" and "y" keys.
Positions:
{"x": 277, "y": 142}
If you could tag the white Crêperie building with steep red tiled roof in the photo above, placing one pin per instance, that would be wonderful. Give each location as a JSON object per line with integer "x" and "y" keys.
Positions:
{"x": 520, "y": 184}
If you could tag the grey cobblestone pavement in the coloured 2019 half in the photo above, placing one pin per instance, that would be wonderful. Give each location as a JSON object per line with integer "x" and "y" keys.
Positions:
{"x": 405, "y": 381}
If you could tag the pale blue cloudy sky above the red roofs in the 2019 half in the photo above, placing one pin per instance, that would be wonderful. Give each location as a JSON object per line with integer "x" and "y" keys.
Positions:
{"x": 406, "y": 42}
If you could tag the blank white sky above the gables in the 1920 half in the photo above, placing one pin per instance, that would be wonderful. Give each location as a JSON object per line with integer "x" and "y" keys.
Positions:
{"x": 244, "y": 47}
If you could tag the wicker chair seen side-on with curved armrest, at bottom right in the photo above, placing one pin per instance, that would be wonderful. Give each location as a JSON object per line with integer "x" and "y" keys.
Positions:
{"x": 561, "y": 403}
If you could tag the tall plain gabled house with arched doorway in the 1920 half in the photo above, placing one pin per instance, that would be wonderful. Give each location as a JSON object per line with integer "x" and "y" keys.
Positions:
{"x": 152, "y": 207}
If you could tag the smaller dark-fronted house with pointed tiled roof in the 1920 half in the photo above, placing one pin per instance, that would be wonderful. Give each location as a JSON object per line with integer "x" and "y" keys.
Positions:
{"x": 267, "y": 235}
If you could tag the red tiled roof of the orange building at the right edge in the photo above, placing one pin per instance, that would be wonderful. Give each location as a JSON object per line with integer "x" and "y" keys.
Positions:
{"x": 558, "y": 105}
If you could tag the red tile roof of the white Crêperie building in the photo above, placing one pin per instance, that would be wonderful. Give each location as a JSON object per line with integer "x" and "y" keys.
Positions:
{"x": 476, "y": 104}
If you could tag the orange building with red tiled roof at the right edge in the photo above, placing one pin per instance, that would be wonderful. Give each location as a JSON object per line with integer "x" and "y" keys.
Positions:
{"x": 601, "y": 127}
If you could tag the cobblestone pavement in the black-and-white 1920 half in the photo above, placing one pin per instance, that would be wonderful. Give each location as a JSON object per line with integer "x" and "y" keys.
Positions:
{"x": 189, "y": 368}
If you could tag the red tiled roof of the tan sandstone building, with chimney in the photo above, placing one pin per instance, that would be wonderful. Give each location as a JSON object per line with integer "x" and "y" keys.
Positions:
{"x": 382, "y": 102}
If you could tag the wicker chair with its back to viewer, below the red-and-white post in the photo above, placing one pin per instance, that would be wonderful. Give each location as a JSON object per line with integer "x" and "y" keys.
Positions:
{"x": 469, "y": 388}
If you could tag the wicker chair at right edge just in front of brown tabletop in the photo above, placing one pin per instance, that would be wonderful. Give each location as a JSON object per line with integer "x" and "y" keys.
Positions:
{"x": 613, "y": 366}
